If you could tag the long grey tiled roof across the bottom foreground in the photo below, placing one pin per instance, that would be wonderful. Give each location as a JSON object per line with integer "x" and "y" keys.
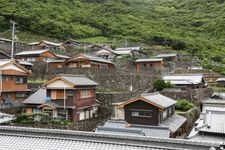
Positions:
{"x": 35, "y": 138}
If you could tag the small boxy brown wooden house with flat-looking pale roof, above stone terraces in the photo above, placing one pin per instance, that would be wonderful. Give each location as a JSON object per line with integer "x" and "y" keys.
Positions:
{"x": 148, "y": 63}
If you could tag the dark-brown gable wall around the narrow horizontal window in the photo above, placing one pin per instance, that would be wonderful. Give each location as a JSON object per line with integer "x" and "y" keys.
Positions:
{"x": 141, "y": 105}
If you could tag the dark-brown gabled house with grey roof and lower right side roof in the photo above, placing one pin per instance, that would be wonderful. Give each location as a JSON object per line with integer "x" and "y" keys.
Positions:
{"x": 151, "y": 109}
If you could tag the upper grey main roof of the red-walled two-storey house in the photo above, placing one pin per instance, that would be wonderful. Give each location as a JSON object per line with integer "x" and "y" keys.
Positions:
{"x": 78, "y": 80}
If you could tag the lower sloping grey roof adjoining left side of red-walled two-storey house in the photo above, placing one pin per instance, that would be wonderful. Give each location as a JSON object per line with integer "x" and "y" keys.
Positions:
{"x": 39, "y": 97}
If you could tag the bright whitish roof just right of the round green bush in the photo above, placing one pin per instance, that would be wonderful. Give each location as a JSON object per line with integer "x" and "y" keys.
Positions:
{"x": 184, "y": 79}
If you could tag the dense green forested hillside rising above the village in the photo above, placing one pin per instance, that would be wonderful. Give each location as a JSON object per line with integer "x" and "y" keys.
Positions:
{"x": 193, "y": 25}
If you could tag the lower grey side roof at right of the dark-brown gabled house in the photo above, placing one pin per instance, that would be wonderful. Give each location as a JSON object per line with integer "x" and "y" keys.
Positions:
{"x": 174, "y": 122}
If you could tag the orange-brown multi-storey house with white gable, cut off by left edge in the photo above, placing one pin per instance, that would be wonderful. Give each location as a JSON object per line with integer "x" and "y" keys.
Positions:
{"x": 13, "y": 83}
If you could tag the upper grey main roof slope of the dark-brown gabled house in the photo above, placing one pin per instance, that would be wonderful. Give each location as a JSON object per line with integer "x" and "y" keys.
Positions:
{"x": 159, "y": 99}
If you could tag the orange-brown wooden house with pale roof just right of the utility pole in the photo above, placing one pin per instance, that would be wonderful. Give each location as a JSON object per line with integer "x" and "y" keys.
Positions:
{"x": 35, "y": 55}
